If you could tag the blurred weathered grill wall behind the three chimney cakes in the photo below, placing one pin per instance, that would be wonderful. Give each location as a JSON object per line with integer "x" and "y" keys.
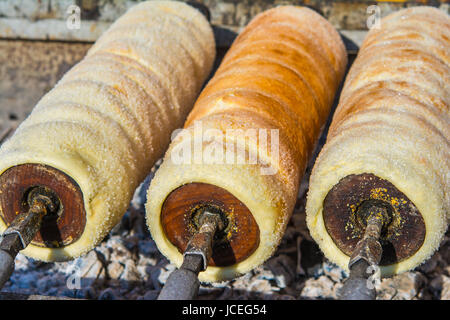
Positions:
{"x": 41, "y": 39}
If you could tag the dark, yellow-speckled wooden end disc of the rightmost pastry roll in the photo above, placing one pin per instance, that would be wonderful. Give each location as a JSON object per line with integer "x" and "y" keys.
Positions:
{"x": 402, "y": 235}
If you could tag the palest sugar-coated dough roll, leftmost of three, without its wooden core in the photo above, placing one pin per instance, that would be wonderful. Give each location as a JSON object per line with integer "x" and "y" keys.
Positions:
{"x": 109, "y": 119}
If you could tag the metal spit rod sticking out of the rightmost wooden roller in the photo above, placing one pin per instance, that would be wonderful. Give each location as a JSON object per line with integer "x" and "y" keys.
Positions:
{"x": 364, "y": 261}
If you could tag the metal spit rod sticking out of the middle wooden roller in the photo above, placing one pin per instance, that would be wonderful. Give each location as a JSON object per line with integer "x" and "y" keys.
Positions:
{"x": 183, "y": 284}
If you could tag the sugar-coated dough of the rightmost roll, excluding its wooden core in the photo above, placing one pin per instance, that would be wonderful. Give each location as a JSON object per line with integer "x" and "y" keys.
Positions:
{"x": 393, "y": 121}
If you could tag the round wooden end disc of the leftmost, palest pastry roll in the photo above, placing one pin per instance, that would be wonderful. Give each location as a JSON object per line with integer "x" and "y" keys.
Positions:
{"x": 61, "y": 226}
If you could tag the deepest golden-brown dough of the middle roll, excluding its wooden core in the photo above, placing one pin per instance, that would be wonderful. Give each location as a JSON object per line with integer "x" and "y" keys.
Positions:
{"x": 281, "y": 74}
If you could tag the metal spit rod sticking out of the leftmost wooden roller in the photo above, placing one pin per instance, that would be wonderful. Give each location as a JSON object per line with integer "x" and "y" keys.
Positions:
{"x": 23, "y": 229}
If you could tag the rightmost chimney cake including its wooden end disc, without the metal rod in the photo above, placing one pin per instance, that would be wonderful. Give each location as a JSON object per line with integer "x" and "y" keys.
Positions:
{"x": 388, "y": 144}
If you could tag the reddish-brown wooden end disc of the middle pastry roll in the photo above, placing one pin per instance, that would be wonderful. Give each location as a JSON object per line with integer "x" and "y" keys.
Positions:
{"x": 235, "y": 242}
